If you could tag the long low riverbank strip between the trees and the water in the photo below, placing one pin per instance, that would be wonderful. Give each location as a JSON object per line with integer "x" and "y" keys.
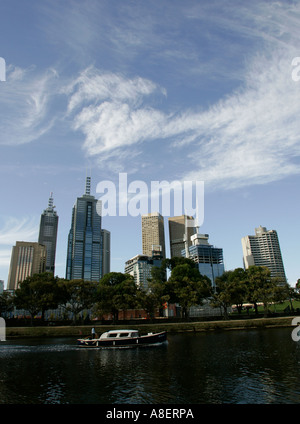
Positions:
{"x": 171, "y": 328}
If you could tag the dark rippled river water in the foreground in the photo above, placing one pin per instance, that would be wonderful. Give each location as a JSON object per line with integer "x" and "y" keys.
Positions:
{"x": 230, "y": 367}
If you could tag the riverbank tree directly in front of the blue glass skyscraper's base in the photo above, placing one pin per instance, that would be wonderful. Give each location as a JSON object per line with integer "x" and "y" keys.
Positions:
{"x": 77, "y": 295}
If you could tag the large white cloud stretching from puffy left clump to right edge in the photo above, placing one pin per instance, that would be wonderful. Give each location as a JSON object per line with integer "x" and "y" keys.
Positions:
{"x": 251, "y": 136}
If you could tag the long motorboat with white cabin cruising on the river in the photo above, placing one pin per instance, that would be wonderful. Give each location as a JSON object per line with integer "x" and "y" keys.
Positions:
{"x": 123, "y": 338}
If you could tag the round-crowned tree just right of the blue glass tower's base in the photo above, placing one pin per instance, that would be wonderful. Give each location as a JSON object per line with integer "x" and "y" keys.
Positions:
{"x": 116, "y": 291}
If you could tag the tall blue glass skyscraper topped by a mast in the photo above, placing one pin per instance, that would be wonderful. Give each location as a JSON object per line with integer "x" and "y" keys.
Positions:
{"x": 85, "y": 241}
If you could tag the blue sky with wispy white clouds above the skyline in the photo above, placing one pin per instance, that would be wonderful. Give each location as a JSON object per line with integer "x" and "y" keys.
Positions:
{"x": 160, "y": 91}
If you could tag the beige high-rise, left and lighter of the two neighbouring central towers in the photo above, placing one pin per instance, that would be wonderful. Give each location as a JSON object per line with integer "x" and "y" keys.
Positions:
{"x": 153, "y": 233}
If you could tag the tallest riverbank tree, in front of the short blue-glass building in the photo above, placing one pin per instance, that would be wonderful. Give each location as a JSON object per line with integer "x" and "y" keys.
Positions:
{"x": 187, "y": 286}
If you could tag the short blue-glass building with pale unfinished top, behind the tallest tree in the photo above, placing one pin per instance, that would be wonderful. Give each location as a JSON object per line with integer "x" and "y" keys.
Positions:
{"x": 209, "y": 259}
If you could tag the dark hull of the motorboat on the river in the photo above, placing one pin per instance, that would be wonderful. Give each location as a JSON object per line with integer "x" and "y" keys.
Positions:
{"x": 149, "y": 339}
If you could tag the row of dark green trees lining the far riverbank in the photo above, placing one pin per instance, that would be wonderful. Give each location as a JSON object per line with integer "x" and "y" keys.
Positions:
{"x": 117, "y": 291}
